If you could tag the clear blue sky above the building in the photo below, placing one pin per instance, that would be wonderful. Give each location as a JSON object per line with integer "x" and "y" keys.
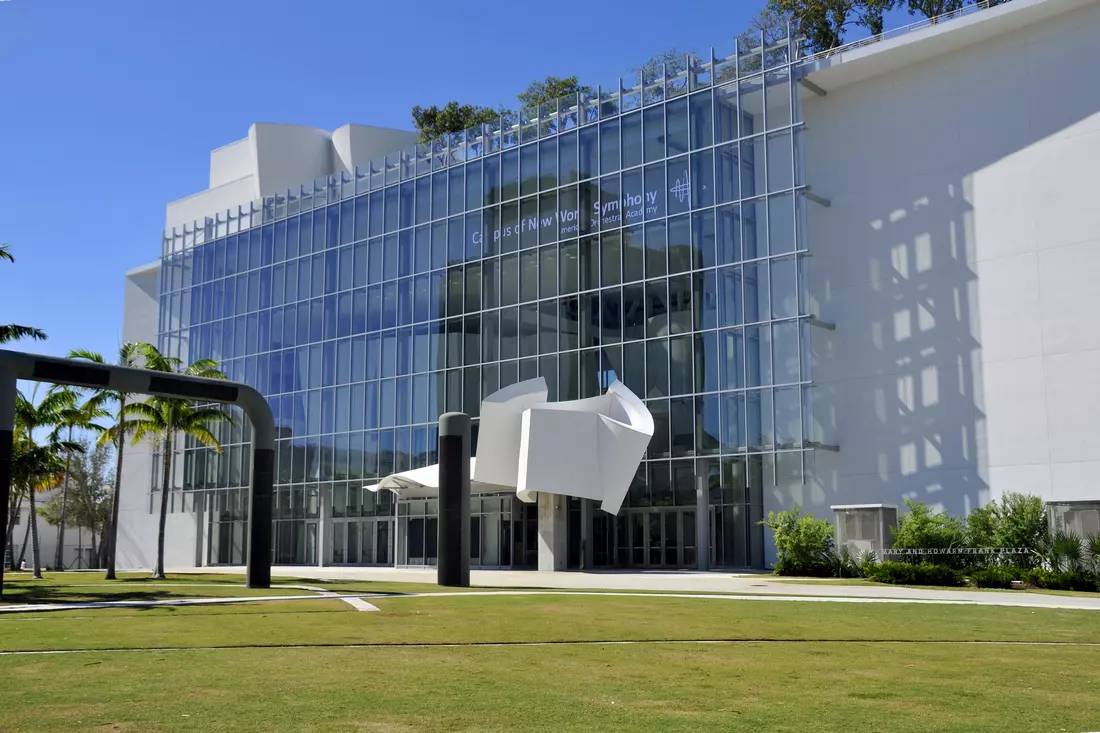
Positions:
{"x": 109, "y": 110}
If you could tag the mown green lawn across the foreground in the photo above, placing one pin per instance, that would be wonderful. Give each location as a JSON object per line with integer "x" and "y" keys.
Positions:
{"x": 536, "y": 663}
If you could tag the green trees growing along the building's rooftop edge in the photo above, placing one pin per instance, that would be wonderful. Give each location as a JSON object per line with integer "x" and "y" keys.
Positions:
{"x": 824, "y": 24}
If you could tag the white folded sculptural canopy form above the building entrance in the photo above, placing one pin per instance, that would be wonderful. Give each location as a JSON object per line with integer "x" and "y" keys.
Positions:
{"x": 587, "y": 448}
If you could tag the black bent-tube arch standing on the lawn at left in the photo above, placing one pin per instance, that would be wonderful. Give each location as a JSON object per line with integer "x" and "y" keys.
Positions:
{"x": 17, "y": 366}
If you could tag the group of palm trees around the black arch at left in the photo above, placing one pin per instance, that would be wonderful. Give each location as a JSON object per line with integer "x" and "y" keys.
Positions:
{"x": 52, "y": 448}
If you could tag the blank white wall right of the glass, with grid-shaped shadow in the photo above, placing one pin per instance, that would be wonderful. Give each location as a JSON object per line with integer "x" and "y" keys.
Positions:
{"x": 961, "y": 262}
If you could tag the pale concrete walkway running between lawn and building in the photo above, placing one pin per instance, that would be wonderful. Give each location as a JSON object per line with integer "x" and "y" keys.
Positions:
{"x": 683, "y": 582}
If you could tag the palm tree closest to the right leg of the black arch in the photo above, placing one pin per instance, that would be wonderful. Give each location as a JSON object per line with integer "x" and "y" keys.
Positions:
{"x": 163, "y": 419}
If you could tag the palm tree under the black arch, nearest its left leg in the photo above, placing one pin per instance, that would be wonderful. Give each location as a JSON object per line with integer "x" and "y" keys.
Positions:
{"x": 39, "y": 467}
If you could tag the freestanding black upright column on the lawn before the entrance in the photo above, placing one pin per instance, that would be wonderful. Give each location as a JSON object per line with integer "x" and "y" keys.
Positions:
{"x": 454, "y": 564}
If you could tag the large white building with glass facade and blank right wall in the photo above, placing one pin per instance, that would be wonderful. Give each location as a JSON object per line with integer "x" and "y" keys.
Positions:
{"x": 841, "y": 280}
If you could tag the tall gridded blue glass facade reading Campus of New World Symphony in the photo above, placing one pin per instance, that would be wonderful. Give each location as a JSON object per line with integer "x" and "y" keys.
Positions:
{"x": 654, "y": 235}
